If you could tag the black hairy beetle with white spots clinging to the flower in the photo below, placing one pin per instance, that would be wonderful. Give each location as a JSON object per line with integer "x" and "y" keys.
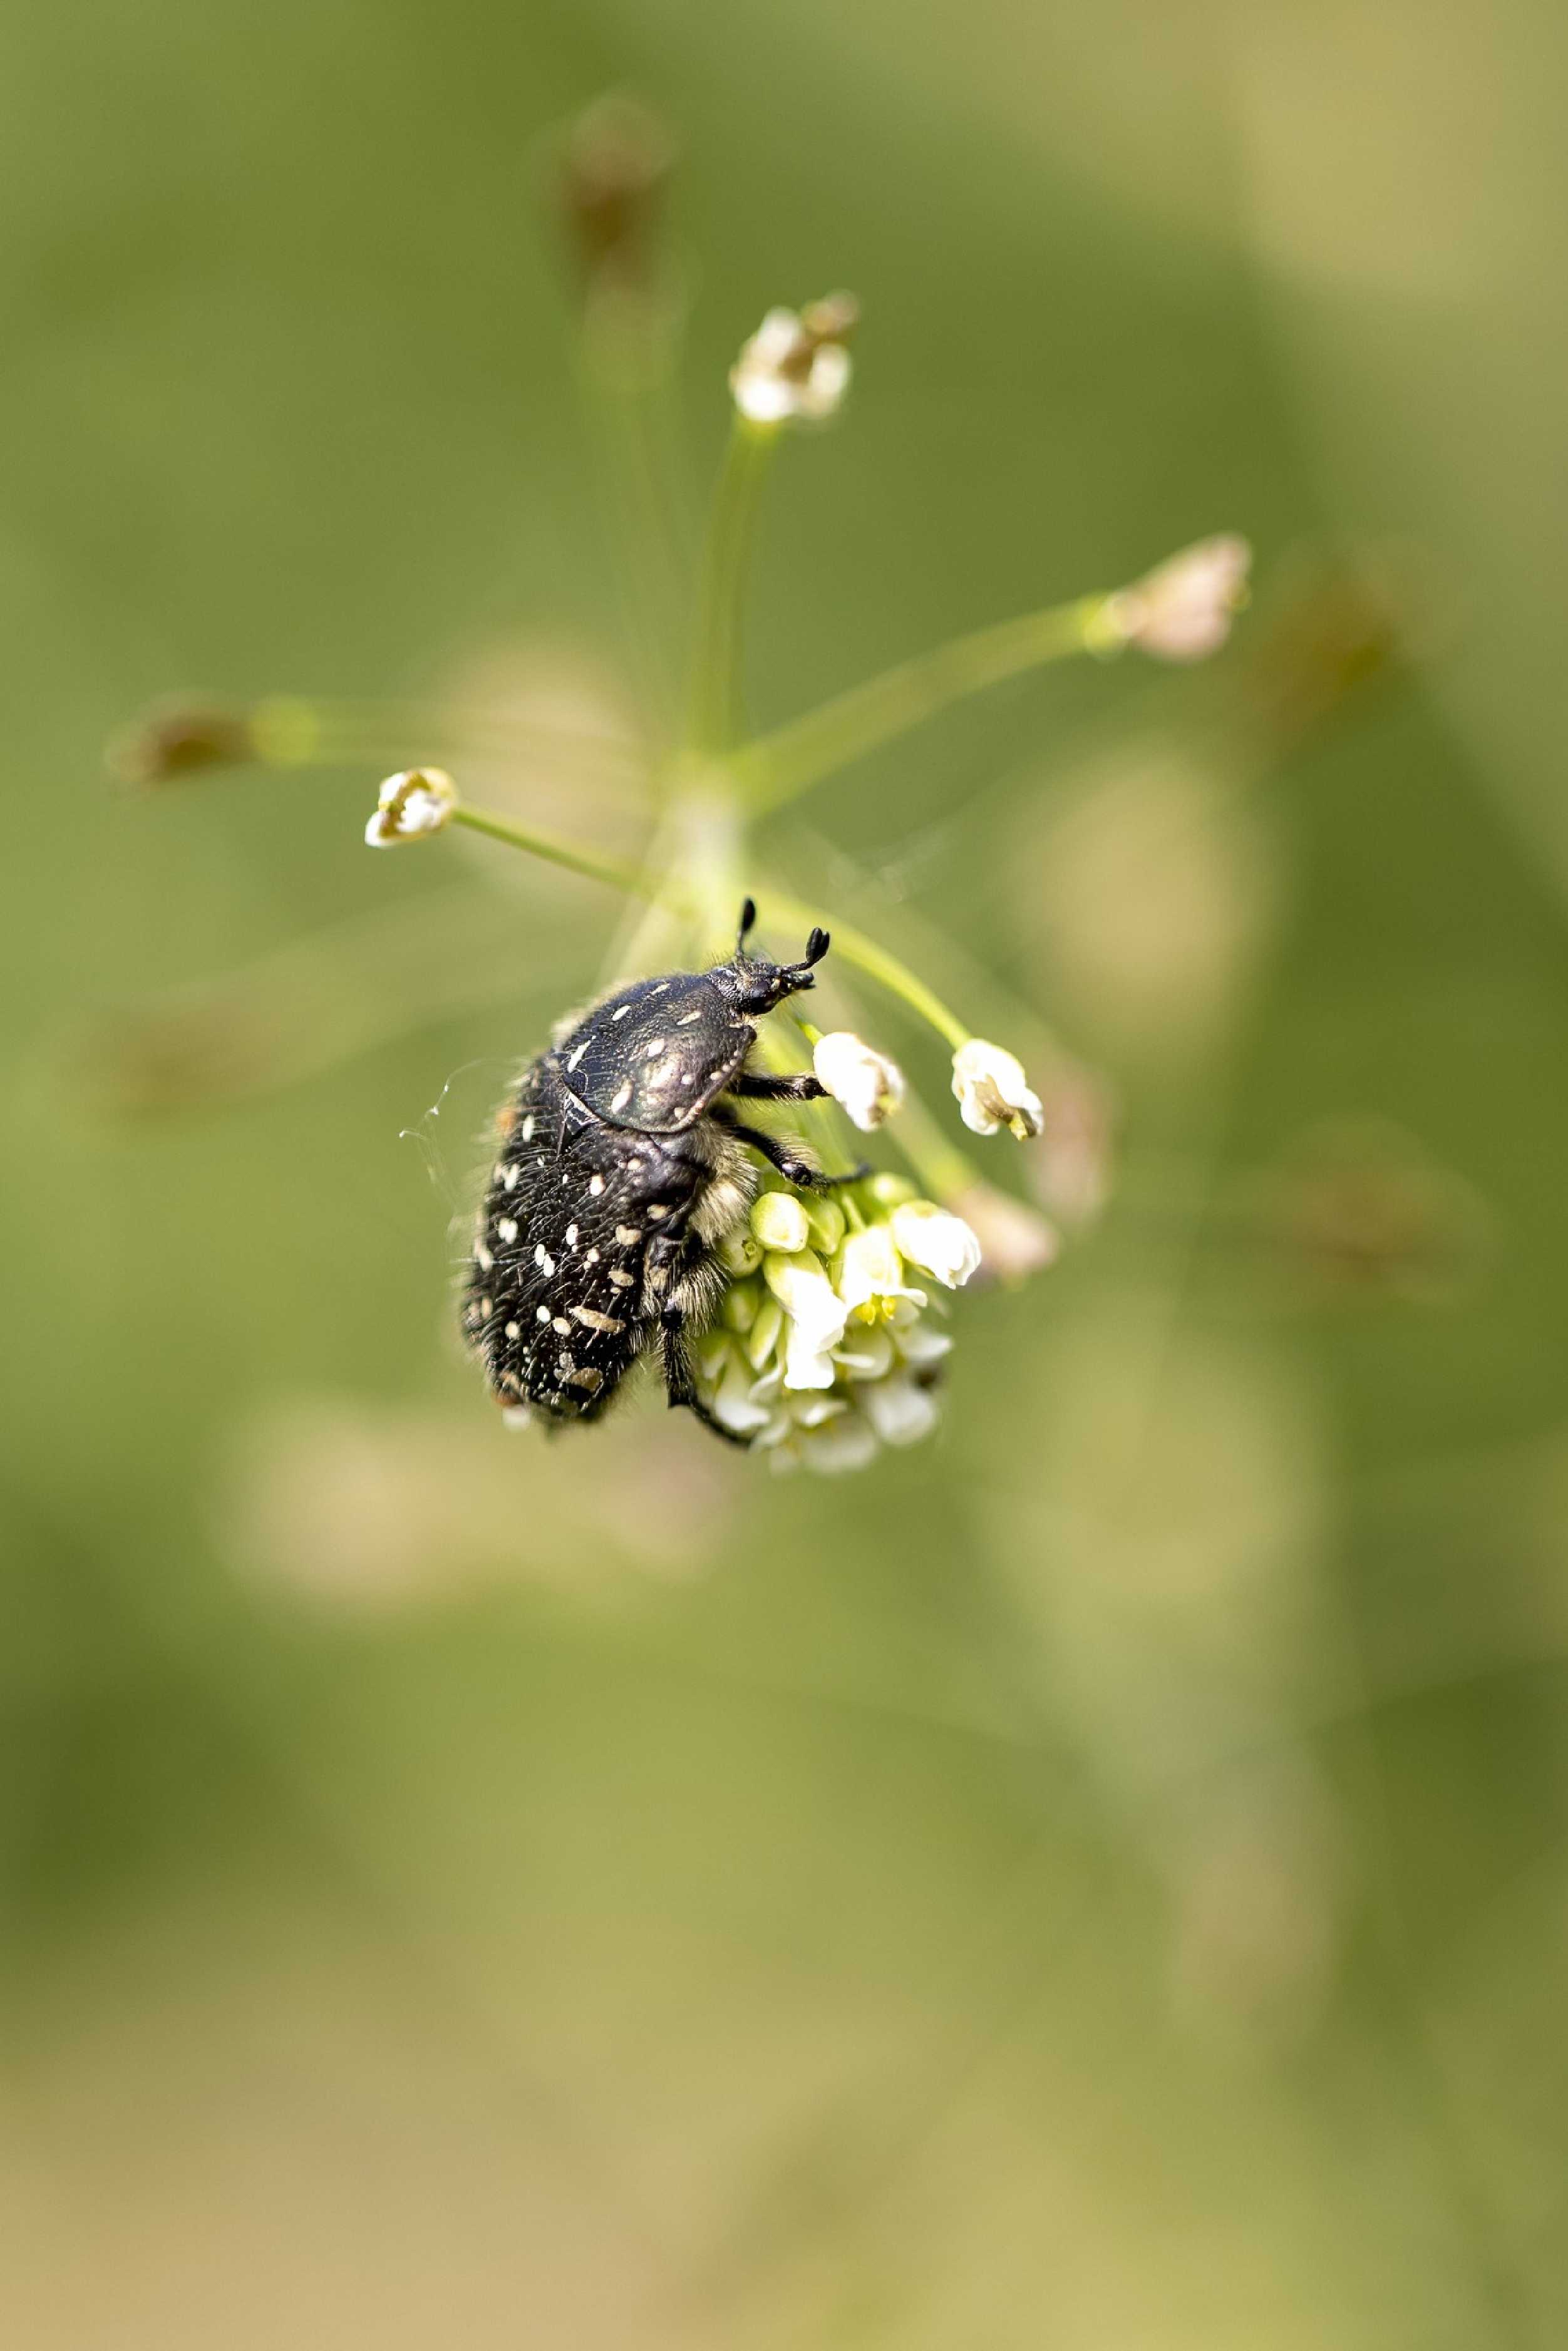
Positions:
{"x": 624, "y": 1165}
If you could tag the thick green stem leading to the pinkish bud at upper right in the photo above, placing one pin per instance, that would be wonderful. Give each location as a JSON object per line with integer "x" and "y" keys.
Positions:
{"x": 798, "y": 756}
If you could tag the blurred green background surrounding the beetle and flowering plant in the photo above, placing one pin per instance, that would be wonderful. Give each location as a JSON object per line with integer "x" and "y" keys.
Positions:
{"x": 1099, "y": 1880}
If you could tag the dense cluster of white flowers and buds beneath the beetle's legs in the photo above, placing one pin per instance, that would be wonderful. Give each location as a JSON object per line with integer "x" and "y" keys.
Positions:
{"x": 824, "y": 1348}
